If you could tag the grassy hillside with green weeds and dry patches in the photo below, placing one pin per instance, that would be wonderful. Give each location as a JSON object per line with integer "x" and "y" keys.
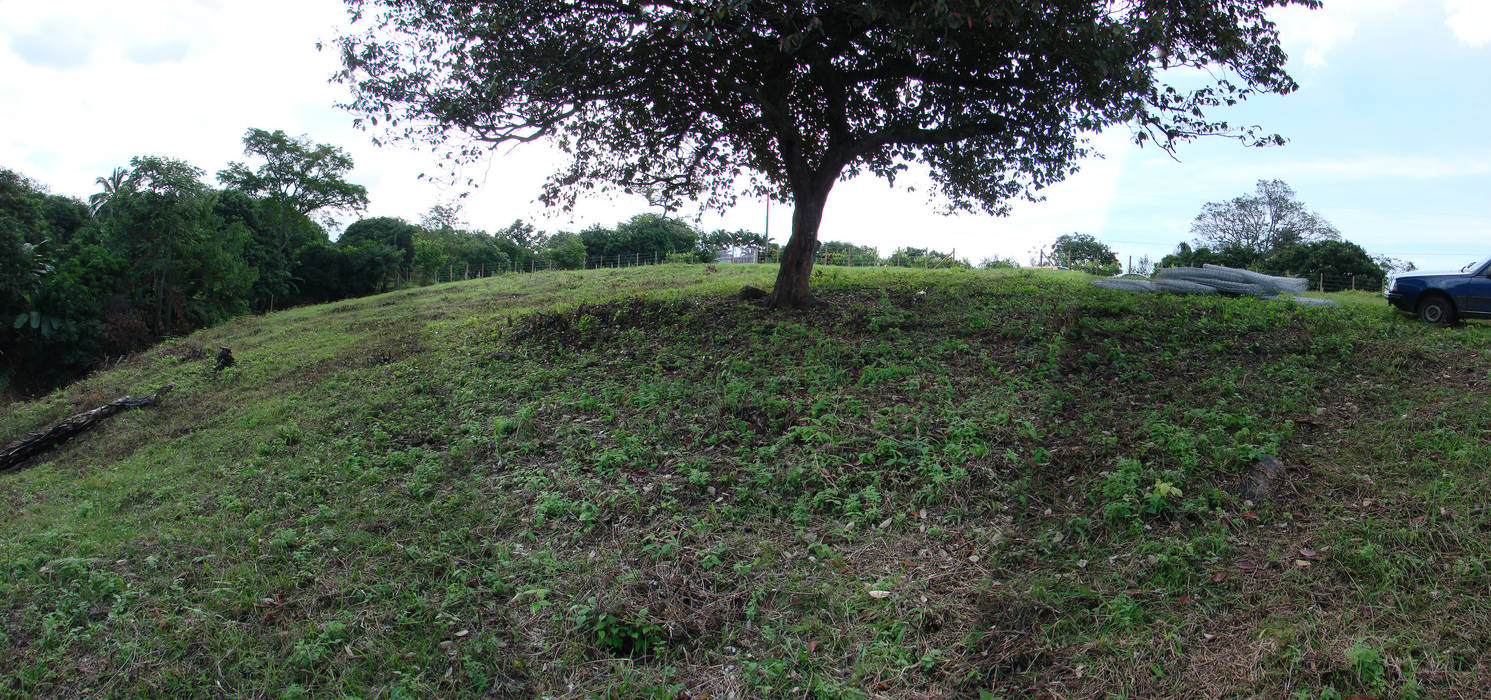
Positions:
{"x": 1016, "y": 484}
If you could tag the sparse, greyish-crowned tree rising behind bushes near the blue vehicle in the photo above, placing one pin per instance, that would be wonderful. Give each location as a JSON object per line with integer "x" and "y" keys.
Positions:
{"x": 1262, "y": 223}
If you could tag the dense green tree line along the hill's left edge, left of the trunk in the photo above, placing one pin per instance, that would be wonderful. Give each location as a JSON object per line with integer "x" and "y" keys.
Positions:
{"x": 160, "y": 253}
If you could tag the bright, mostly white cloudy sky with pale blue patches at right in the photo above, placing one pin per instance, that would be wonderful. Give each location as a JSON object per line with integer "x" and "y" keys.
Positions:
{"x": 1387, "y": 132}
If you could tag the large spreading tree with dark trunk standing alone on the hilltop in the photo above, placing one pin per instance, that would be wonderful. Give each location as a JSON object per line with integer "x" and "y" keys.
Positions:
{"x": 710, "y": 99}
